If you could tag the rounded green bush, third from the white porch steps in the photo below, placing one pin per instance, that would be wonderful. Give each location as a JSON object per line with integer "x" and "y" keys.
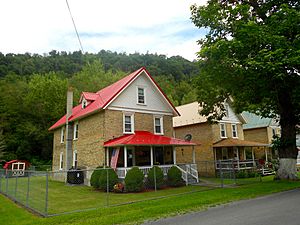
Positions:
{"x": 134, "y": 180}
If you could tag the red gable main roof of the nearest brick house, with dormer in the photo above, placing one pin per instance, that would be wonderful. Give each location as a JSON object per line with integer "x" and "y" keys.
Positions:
{"x": 102, "y": 98}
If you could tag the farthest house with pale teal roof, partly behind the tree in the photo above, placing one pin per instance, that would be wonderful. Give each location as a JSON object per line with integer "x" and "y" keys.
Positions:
{"x": 262, "y": 130}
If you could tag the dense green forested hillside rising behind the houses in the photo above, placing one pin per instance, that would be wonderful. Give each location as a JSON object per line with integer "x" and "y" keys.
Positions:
{"x": 33, "y": 91}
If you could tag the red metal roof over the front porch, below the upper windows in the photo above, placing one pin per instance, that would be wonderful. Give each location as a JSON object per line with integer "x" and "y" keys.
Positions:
{"x": 145, "y": 138}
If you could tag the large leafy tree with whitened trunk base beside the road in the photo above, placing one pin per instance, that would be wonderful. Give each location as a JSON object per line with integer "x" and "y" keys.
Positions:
{"x": 252, "y": 53}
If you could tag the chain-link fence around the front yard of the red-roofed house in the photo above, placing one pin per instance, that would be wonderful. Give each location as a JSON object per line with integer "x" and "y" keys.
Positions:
{"x": 59, "y": 192}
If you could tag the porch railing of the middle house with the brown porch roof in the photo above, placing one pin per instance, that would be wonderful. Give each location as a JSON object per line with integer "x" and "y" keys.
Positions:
{"x": 235, "y": 164}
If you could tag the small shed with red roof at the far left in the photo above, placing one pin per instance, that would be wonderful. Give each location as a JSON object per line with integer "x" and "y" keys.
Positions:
{"x": 16, "y": 167}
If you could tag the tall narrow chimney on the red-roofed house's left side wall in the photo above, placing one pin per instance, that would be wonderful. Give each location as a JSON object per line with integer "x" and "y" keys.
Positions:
{"x": 69, "y": 130}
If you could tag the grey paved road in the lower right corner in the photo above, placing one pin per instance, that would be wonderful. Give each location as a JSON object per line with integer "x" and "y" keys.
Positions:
{"x": 277, "y": 209}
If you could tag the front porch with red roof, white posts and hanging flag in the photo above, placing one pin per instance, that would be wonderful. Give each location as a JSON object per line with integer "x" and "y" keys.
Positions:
{"x": 144, "y": 150}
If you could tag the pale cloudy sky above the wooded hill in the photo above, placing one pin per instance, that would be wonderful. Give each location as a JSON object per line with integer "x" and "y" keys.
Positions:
{"x": 155, "y": 26}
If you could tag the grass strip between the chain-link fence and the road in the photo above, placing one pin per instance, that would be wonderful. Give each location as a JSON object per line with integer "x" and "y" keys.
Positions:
{"x": 152, "y": 209}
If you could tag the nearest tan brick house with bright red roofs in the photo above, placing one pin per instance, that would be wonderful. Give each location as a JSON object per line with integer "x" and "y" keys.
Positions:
{"x": 128, "y": 123}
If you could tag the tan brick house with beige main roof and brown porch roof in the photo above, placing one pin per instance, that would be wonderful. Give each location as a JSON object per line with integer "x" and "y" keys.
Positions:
{"x": 222, "y": 140}
